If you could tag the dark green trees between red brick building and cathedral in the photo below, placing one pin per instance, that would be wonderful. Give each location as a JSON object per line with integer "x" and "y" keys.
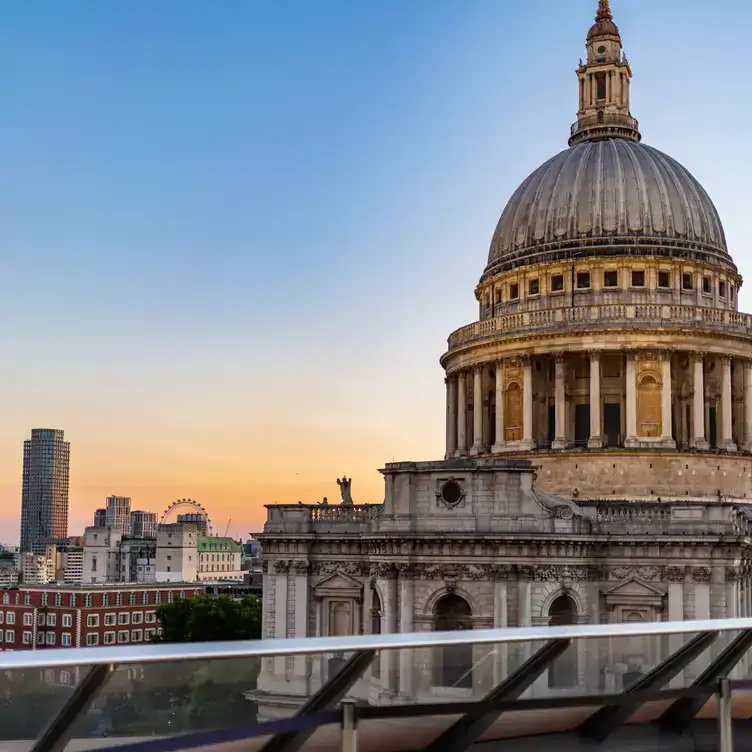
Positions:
{"x": 207, "y": 619}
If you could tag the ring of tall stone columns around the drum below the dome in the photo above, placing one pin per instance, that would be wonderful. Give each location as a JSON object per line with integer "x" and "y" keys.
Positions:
{"x": 642, "y": 399}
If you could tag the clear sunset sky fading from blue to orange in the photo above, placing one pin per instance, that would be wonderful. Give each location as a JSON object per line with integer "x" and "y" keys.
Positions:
{"x": 235, "y": 235}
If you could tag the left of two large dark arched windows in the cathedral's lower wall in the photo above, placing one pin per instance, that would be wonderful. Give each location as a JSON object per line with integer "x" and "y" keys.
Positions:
{"x": 453, "y": 665}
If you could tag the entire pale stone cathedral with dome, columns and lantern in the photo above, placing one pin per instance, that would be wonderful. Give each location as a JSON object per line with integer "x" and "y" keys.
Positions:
{"x": 598, "y": 438}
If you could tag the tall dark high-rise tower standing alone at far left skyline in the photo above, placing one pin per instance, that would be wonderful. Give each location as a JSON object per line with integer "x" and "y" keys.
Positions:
{"x": 44, "y": 493}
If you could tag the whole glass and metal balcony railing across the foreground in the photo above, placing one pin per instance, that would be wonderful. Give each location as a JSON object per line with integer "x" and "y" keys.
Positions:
{"x": 567, "y": 686}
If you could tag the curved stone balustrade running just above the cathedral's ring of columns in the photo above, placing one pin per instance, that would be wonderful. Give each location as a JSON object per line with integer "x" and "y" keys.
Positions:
{"x": 605, "y": 315}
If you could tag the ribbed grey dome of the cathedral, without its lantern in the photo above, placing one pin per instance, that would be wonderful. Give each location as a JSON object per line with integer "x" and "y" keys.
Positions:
{"x": 603, "y": 196}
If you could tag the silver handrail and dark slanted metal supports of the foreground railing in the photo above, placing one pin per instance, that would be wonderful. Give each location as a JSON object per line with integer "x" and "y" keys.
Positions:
{"x": 322, "y": 708}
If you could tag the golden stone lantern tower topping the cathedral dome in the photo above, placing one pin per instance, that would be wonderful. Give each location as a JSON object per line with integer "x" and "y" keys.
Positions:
{"x": 603, "y": 80}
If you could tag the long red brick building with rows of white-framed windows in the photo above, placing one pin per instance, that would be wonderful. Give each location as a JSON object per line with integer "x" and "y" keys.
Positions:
{"x": 33, "y": 617}
